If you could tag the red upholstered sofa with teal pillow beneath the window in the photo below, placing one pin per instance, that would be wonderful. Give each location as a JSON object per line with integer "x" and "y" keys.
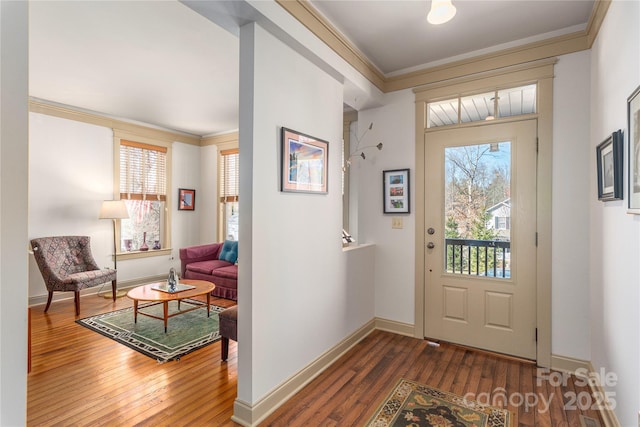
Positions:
{"x": 202, "y": 263}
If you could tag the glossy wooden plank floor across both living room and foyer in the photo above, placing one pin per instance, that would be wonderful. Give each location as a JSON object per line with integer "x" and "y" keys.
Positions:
{"x": 81, "y": 378}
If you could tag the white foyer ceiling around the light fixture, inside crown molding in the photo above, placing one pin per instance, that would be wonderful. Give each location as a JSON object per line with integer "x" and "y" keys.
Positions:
{"x": 395, "y": 35}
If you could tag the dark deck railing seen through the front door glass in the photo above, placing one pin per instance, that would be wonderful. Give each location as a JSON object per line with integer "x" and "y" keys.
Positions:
{"x": 490, "y": 258}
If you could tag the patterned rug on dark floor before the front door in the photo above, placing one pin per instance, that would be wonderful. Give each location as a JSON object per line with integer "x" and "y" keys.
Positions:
{"x": 417, "y": 405}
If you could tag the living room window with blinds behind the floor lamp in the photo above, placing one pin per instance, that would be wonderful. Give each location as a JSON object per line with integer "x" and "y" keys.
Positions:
{"x": 143, "y": 187}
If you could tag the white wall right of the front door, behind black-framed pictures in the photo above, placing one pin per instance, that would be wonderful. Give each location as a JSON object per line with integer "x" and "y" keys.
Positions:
{"x": 615, "y": 235}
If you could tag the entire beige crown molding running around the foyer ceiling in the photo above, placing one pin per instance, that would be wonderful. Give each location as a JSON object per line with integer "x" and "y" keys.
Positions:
{"x": 308, "y": 16}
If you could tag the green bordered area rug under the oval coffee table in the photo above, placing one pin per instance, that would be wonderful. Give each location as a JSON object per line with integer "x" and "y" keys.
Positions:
{"x": 186, "y": 332}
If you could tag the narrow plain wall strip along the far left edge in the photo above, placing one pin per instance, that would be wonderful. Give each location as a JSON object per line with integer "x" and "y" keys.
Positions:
{"x": 13, "y": 208}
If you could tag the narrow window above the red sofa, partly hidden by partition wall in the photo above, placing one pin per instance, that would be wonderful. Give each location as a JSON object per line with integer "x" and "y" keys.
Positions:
{"x": 229, "y": 179}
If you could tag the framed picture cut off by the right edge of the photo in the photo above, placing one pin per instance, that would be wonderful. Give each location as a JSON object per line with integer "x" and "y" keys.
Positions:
{"x": 633, "y": 133}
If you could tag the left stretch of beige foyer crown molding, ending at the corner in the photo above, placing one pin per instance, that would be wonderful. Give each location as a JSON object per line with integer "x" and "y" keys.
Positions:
{"x": 308, "y": 16}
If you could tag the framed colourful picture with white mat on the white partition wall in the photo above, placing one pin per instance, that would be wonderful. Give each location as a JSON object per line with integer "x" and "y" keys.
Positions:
{"x": 304, "y": 163}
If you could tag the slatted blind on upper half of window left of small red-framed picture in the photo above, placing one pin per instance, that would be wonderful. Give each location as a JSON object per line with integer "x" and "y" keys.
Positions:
{"x": 143, "y": 171}
